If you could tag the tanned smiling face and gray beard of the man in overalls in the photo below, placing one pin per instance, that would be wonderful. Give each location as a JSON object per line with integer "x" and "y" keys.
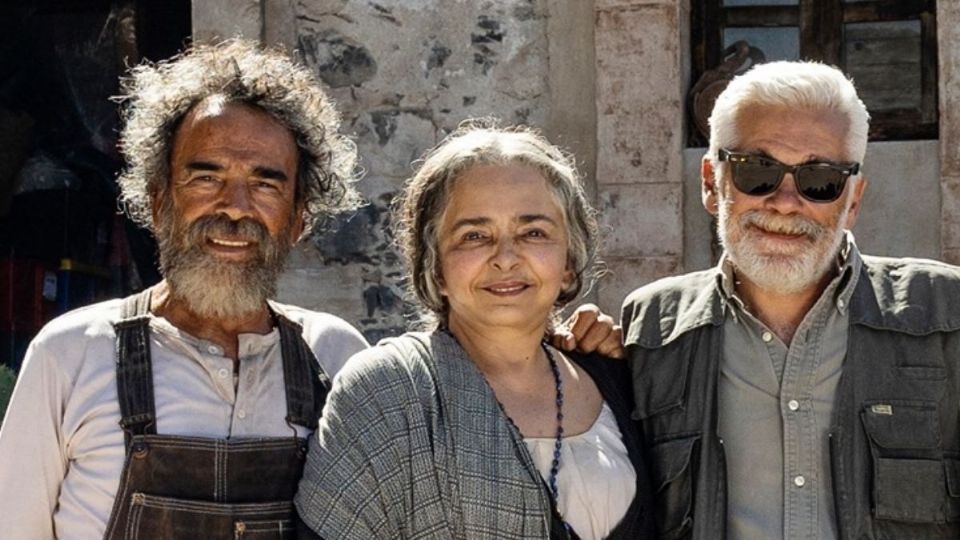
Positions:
{"x": 228, "y": 218}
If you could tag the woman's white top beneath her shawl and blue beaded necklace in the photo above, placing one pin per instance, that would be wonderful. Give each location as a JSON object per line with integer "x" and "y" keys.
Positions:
{"x": 596, "y": 479}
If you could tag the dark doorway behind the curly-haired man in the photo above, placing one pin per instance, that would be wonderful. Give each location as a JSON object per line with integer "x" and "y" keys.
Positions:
{"x": 63, "y": 243}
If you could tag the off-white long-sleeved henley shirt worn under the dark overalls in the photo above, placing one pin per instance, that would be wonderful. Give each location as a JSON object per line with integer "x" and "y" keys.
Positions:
{"x": 61, "y": 447}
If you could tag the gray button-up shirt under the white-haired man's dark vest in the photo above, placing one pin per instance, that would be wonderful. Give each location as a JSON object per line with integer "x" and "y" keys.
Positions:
{"x": 775, "y": 408}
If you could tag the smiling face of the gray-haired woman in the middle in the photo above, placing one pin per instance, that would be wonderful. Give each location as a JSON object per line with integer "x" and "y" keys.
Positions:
{"x": 503, "y": 250}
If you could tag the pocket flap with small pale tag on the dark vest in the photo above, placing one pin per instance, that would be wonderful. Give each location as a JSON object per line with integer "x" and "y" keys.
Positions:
{"x": 900, "y": 424}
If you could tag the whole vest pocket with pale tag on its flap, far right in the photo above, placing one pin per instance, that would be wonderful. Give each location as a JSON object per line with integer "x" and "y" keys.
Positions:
{"x": 912, "y": 480}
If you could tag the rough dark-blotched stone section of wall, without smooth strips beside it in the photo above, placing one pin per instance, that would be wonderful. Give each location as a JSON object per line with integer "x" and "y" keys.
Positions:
{"x": 405, "y": 74}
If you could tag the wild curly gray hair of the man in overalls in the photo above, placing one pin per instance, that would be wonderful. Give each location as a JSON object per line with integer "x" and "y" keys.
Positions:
{"x": 156, "y": 97}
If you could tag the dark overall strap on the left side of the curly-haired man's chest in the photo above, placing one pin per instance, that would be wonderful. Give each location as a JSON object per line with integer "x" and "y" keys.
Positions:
{"x": 134, "y": 368}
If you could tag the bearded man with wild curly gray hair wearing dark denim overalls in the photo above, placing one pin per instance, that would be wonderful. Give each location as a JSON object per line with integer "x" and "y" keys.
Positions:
{"x": 183, "y": 411}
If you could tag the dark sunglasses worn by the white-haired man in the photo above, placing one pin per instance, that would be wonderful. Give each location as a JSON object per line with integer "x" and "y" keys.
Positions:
{"x": 818, "y": 182}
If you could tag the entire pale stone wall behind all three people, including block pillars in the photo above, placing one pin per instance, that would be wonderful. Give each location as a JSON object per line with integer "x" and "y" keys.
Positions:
{"x": 605, "y": 78}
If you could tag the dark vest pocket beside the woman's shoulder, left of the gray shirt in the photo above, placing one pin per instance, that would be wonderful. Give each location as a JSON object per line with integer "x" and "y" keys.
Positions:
{"x": 673, "y": 472}
